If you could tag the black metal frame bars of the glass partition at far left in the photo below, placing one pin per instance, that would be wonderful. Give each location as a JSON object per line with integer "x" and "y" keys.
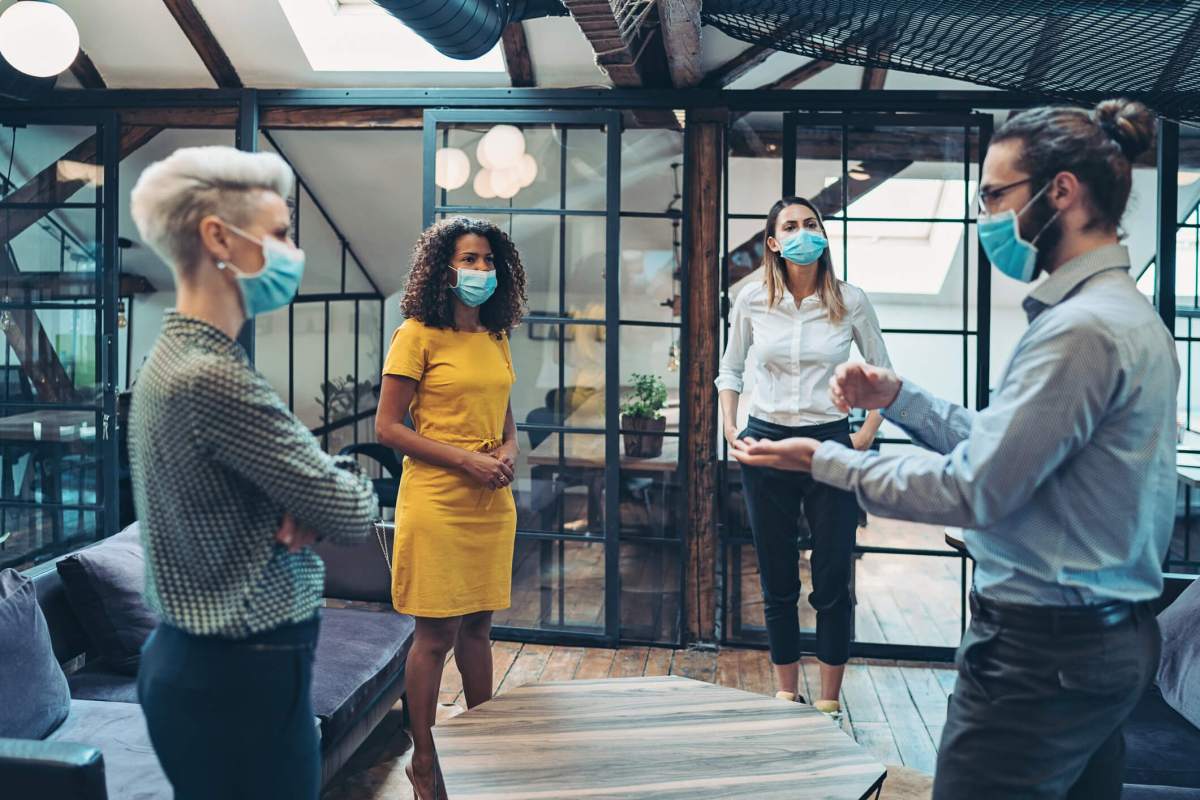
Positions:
{"x": 104, "y": 304}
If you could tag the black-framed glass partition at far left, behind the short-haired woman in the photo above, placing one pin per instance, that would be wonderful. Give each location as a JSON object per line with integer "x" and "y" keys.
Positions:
{"x": 58, "y": 312}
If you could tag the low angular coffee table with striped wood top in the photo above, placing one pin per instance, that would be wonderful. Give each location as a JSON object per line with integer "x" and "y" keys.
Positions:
{"x": 664, "y": 738}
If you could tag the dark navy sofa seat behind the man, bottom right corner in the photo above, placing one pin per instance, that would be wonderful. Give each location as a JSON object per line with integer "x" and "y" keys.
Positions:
{"x": 1162, "y": 748}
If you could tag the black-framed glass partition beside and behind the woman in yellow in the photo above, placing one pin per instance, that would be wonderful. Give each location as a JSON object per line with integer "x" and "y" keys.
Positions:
{"x": 596, "y": 218}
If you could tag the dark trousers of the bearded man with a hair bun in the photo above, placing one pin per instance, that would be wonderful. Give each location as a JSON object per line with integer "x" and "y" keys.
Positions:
{"x": 1039, "y": 715}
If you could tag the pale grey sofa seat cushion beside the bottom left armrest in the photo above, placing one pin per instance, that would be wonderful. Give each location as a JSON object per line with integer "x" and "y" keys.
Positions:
{"x": 119, "y": 731}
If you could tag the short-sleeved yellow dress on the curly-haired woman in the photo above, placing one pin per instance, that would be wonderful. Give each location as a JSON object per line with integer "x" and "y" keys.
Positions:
{"x": 453, "y": 552}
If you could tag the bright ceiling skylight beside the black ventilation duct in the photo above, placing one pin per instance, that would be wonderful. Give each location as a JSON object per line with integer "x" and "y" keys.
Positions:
{"x": 358, "y": 37}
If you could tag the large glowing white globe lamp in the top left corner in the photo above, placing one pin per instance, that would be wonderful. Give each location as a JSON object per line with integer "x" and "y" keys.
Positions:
{"x": 39, "y": 39}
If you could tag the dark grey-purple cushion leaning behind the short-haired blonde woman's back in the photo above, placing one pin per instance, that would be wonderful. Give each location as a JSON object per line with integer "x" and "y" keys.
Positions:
{"x": 105, "y": 585}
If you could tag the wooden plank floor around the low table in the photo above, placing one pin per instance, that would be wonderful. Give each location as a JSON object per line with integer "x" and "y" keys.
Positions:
{"x": 896, "y": 711}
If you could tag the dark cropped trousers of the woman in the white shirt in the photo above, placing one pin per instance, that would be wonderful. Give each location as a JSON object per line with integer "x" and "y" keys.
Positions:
{"x": 776, "y": 500}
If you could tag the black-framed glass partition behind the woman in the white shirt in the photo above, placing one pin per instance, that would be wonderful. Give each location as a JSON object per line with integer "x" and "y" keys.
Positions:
{"x": 897, "y": 195}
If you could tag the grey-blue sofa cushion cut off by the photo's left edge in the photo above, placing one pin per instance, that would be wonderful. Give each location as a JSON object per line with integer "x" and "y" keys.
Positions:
{"x": 33, "y": 689}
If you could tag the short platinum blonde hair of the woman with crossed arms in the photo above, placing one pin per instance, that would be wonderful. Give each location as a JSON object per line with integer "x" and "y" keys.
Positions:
{"x": 173, "y": 195}
